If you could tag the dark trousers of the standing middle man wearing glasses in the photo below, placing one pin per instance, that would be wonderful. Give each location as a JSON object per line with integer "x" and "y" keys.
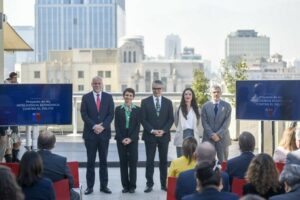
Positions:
{"x": 163, "y": 161}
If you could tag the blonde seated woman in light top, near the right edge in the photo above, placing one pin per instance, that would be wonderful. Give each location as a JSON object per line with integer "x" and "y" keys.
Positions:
{"x": 286, "y": 145}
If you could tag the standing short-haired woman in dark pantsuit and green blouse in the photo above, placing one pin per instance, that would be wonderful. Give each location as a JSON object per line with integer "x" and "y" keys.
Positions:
{"x": 127, "y": 126}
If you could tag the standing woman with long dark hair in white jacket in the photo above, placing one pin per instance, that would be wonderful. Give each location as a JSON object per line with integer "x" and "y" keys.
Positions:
{"x": 187, "y": 120}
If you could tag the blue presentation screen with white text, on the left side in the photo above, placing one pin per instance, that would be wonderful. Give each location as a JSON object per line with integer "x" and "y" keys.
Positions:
{"x": 35, "y": 104}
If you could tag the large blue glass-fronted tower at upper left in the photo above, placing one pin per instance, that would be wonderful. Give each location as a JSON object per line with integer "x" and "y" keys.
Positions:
{"x": 70, "y": 24}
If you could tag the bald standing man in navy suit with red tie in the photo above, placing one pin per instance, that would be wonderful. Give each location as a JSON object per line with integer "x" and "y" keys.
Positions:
{"x": 97, "y": 112}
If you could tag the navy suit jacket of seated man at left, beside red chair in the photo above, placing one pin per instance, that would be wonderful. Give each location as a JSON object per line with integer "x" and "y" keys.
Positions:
{"x": 55, "y": 167}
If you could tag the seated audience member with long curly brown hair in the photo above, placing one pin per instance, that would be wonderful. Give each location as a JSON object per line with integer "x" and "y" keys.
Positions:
{"x": 262, "y": 177}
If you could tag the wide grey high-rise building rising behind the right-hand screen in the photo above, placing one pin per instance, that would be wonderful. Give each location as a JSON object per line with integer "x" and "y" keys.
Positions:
{"x": 247, "y": 45}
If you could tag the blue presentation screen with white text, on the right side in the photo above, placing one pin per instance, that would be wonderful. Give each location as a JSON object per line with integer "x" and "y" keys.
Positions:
{"x": 268, "y": 100}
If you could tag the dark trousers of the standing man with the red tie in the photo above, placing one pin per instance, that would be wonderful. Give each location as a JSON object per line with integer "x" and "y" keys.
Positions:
{"x": 92, "y": 146}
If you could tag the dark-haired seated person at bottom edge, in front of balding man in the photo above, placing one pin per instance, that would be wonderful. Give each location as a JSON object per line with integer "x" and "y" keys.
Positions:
{"x": 209, "y": 183}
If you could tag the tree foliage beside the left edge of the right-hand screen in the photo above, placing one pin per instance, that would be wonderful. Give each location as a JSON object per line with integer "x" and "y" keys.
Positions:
{"x": 232, "y": 73}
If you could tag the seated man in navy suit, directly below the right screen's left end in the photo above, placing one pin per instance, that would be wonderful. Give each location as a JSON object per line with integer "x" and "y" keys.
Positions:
{"x": 237, "y": 167}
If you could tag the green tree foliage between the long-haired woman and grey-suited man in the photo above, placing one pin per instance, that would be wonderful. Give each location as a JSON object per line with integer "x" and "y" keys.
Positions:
{"x": 200, "y": 86}
